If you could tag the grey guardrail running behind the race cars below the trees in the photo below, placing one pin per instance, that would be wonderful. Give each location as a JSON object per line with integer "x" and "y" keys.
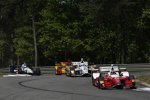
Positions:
{"x": 138, "y": 69}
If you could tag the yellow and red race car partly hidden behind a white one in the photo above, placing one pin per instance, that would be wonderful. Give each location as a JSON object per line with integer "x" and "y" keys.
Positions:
{"x": 60, "y": 68}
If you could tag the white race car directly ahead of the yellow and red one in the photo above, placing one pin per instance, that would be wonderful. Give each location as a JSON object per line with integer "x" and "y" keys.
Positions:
{"x": 78, "y": 69}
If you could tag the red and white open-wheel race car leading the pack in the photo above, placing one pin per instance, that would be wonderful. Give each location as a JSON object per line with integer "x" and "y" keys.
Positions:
{"x": 112, "y": 77}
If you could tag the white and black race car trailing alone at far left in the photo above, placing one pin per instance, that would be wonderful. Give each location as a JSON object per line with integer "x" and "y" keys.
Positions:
{"x": 24, "y": 69}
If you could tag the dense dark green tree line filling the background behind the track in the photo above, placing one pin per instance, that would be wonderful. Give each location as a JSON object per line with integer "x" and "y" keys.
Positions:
{"x": 100, "y": 31}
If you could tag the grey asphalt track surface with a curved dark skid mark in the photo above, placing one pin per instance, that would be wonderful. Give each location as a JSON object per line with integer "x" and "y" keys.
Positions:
{"x": 52, "y": 87}
